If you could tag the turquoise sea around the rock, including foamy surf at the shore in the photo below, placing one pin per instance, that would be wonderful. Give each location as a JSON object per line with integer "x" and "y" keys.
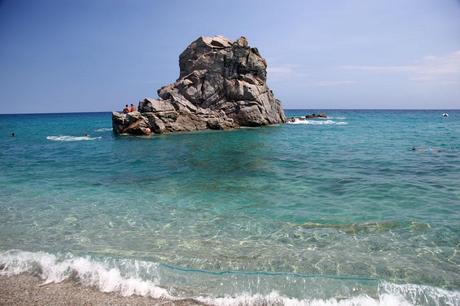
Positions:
{"x": 359, "y": 208}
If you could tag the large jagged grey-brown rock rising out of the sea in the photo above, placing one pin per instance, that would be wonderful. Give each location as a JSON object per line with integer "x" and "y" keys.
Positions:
{"x": 222, "y": 85}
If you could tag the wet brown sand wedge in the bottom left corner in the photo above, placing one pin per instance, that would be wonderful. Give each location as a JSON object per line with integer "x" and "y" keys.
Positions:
{"x": 26, "y": 289}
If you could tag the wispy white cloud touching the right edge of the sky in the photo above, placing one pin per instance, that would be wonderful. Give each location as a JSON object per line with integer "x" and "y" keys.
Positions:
{"x": 443, "y": 69}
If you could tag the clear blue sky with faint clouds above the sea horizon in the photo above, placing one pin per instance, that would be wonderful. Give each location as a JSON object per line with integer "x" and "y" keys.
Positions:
{"x": 85, "y": 55}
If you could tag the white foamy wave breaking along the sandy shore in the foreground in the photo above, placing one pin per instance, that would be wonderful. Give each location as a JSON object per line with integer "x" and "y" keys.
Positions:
{"x": 134, "y": 277}
